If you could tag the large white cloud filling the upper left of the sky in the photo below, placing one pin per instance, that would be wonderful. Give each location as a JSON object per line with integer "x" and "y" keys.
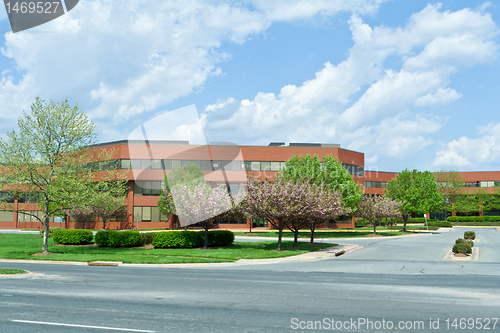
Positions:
{"x": 121, "y": 59}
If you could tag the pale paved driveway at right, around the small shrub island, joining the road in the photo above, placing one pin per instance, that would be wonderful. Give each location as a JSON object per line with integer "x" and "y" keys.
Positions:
{"x": 421, "y": 254}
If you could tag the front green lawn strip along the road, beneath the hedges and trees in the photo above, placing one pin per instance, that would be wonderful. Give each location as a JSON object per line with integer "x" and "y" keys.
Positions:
{"x": 23, "y": 246}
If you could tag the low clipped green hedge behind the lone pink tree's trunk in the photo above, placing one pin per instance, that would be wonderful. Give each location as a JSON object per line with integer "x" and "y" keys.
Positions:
{"x": 191, "y": 239}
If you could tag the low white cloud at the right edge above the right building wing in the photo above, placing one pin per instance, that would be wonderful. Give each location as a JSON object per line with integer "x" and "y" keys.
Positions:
{"x": 471, "y": 153}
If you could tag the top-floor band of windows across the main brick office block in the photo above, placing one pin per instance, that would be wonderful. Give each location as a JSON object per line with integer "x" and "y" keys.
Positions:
{"x": 206, "y": 165}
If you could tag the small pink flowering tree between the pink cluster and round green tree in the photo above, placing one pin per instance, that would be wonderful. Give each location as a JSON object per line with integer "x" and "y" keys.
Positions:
{"x": 375, "y": 208}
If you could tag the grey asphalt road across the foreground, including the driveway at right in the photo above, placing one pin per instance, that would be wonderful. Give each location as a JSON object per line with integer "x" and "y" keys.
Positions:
{"x": 400, "y": 281}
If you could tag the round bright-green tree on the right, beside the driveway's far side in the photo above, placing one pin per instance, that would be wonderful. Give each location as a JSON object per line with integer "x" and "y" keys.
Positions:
{"x": 418, "y": 191}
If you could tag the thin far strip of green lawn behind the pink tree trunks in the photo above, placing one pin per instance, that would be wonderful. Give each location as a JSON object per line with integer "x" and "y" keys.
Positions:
{"x": 346, "y": 233}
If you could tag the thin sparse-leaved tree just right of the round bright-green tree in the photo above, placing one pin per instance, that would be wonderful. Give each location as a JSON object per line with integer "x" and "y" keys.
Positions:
{"x": 451, "y": 186}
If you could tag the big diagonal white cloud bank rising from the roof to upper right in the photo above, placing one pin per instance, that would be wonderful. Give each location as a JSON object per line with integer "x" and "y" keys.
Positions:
{"x": 360, "y": 103}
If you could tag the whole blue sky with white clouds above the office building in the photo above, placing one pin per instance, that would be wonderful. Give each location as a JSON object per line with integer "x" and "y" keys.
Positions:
{"x": 412, "y": 84}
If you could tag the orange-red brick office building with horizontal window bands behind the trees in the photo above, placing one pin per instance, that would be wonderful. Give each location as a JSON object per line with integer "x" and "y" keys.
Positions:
{"x": 148, "y": 162}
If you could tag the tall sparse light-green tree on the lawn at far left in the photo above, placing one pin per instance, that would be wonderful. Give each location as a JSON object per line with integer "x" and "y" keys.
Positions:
{"x": 49, "y": 157}
